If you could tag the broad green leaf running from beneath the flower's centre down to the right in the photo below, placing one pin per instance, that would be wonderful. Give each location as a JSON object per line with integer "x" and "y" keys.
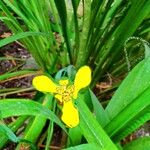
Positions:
{"x": 91, "y": 129}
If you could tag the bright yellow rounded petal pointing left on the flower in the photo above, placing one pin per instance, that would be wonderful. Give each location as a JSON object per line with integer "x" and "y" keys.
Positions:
{"x": 44, "y": 84}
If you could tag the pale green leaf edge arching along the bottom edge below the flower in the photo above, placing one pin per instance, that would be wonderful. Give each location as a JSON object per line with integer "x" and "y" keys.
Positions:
{"x": 84, "y": 147}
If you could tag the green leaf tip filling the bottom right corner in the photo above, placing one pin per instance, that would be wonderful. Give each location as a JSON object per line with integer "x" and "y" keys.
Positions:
{"x": 139, "y": 144}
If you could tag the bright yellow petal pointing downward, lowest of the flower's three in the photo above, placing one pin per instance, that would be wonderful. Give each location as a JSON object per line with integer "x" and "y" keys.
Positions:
{"x": 70, "y": 115}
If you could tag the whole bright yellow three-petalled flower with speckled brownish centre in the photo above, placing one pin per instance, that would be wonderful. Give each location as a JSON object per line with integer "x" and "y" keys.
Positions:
{"x": 65, "y": 92}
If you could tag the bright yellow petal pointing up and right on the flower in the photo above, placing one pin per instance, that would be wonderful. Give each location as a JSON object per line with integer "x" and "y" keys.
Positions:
{"x": 82, "y": 79}
